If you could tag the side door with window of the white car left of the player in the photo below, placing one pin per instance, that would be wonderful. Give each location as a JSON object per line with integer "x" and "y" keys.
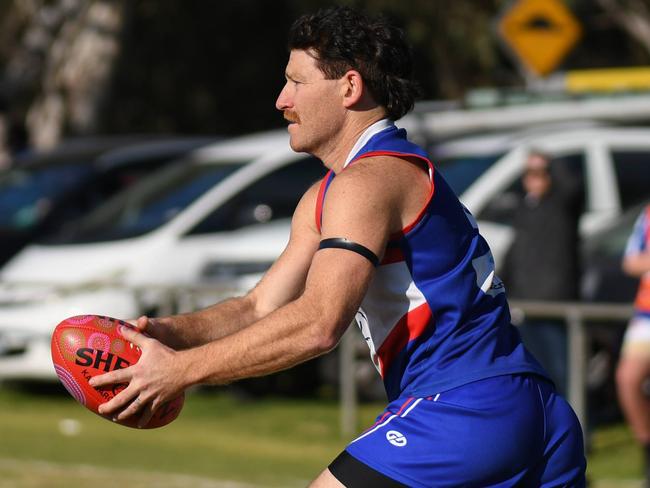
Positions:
{"x": 246, "y": 233}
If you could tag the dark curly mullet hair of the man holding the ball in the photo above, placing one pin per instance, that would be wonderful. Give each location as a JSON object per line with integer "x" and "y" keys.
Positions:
{"x": 342, "y": 38}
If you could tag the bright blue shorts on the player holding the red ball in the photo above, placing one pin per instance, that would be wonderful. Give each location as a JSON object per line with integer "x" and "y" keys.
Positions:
{"x": 511, "y": 430}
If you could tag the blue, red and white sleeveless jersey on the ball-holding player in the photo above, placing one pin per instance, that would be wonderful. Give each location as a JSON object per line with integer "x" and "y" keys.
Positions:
{"x": 435, "y": 315}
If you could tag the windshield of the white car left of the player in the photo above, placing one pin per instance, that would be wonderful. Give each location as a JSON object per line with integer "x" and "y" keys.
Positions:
{"x": 145, "y": 206}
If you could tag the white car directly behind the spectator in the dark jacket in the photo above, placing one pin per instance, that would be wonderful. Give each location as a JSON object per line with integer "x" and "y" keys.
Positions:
{"x": 612, "y": 163}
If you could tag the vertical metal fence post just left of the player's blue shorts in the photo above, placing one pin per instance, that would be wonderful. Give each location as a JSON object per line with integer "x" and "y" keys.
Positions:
{"x": 347, "y": 383}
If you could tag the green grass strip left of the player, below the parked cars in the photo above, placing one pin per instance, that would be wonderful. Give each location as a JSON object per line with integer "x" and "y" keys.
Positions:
{"x": 268, "y": 443}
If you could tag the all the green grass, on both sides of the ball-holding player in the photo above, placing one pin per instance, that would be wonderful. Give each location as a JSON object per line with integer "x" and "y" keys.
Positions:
{"x": 270, "y": 442}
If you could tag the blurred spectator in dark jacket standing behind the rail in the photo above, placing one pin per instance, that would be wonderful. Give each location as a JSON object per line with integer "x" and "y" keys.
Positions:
{"x": 543, "y": 261}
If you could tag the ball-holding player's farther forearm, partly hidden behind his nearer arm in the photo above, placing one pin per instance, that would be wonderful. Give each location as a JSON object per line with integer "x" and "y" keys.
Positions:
{"x": 197, "y": 328}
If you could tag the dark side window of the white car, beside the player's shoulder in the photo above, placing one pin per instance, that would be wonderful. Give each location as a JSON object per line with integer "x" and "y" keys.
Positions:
{"x": 274, "y": 196}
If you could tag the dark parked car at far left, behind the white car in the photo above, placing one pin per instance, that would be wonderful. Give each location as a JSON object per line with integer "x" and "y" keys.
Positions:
{"x": 46, "y": 190}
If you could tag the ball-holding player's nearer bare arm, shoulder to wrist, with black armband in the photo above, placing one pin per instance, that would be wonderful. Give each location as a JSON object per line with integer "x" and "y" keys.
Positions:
{"x": 363, "y": 206}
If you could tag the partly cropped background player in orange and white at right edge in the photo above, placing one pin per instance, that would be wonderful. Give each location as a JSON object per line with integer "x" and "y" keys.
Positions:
{"x": 634, "y": 365}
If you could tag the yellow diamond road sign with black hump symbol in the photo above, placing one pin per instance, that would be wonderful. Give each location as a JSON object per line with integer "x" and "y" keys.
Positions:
{"x": 540, "y": 33}
